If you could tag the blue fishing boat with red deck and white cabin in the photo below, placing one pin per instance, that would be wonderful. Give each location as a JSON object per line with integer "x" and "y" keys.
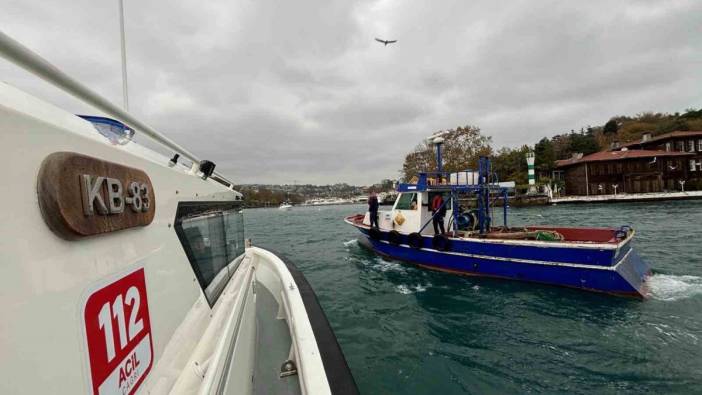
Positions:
{"x": 593, "y": 259}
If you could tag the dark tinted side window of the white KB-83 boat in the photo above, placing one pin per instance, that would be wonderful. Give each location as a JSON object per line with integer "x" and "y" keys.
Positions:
{"x": 212, "y": 236}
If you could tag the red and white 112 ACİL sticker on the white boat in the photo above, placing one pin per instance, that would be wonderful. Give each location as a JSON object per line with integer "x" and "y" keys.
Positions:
{"x": 118, "y": 335}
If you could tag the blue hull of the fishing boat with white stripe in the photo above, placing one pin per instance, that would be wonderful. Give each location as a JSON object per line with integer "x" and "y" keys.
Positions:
{"x": 617, "y": 271}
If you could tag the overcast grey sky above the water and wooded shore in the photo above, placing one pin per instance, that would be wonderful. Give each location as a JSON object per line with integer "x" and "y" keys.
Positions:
{"x": 283, "y": 91}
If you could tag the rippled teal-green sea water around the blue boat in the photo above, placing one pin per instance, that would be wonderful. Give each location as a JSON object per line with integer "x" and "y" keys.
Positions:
{"x": 409, "y": 330}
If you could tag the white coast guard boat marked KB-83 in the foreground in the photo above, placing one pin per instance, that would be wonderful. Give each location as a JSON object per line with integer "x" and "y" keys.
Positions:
{"x": 124, "y": 270}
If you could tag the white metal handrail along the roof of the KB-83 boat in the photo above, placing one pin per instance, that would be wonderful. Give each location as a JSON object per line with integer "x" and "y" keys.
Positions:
{"x": 22, "y": 56}
